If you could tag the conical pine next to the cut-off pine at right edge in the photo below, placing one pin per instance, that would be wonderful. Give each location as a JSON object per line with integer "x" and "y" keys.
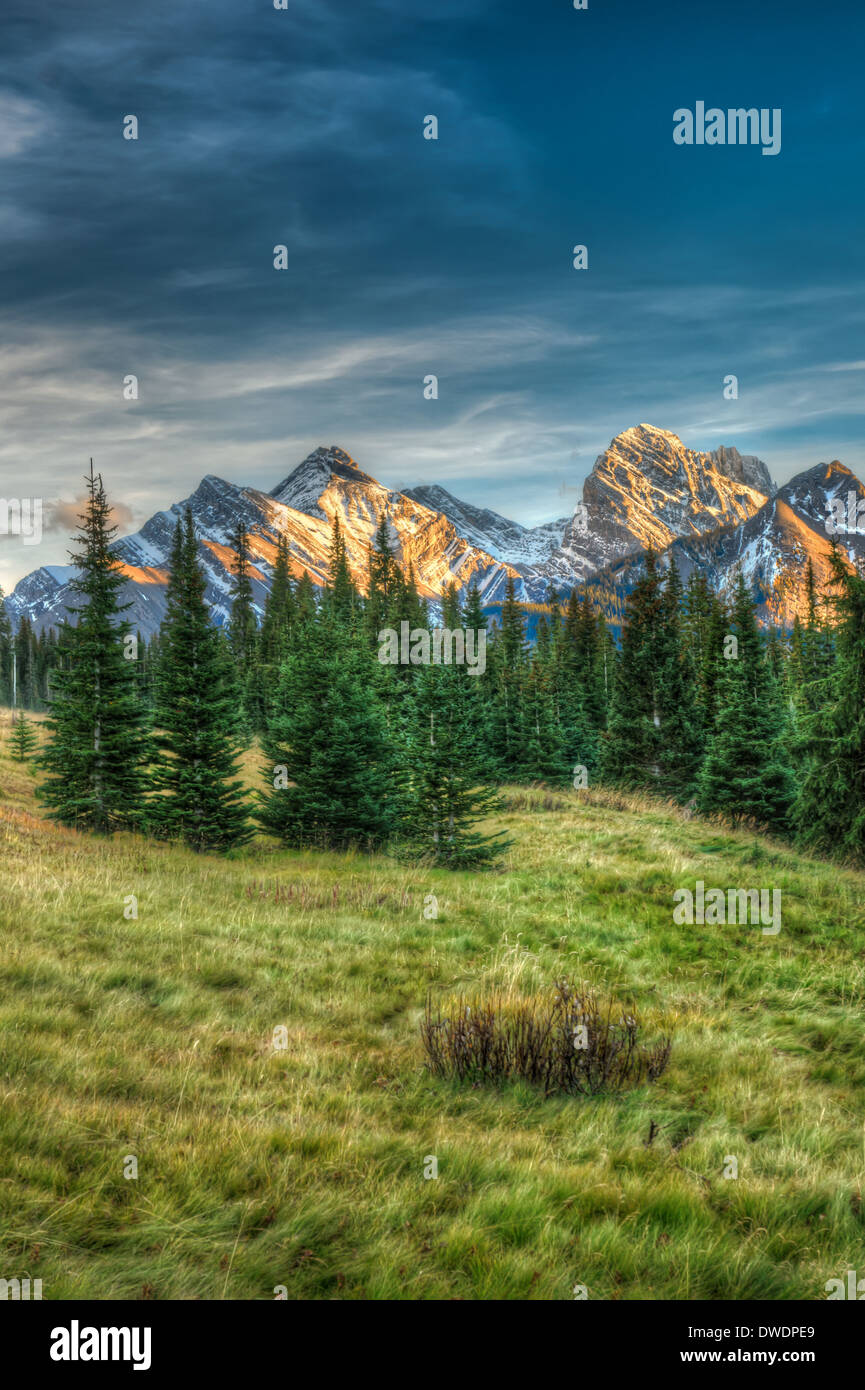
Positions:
{"x": 746, "y": 775}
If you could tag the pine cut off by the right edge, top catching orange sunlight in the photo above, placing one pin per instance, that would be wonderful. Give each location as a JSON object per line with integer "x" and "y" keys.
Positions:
{"x": 830, "y": 812}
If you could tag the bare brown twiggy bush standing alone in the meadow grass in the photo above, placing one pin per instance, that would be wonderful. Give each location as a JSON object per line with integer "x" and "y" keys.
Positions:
{"x": 564, "y": 1042}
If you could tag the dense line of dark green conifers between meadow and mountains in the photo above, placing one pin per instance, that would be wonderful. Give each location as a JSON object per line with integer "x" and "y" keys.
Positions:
{"x": 696, "y": 704}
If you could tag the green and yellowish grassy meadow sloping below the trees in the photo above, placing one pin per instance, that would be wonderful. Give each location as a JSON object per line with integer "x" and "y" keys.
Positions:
{"x": 258, "y": 1168}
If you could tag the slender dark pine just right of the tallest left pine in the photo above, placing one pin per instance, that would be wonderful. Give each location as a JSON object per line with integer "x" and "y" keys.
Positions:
{"x": 202, "y": 803}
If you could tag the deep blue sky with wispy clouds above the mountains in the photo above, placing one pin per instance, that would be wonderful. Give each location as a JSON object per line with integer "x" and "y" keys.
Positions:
{"x": 408, "y": 258}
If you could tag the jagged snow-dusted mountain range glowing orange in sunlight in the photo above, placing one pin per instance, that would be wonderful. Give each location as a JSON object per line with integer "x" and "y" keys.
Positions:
{"x": 713, "y": 511}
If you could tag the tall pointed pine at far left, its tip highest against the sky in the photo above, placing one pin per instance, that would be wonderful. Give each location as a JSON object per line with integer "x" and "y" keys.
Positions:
{"x": 98, "y": 746}
